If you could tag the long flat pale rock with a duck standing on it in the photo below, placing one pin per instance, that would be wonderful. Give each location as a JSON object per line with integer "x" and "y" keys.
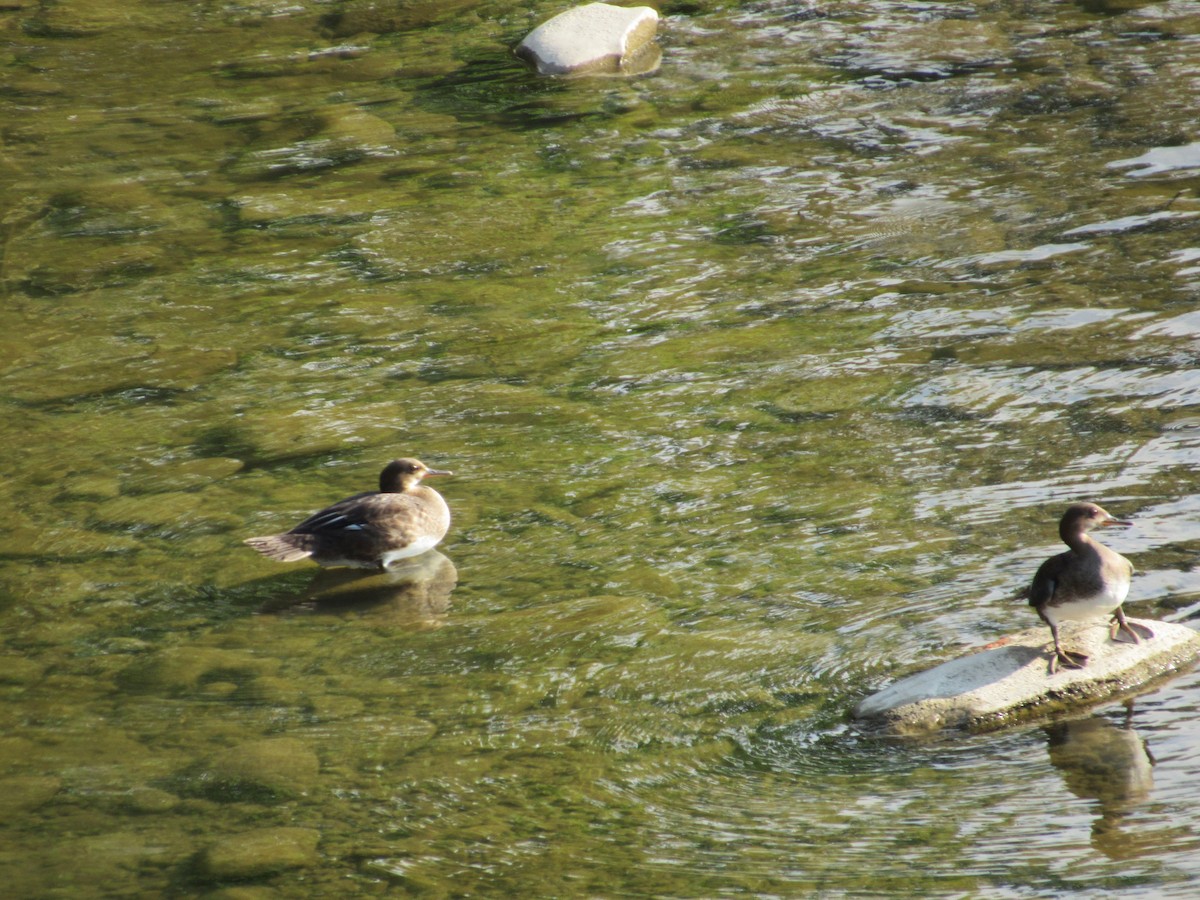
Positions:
{"x": 1010, "y": 681}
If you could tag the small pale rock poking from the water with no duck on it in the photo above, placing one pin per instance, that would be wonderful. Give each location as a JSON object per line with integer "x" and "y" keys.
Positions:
{"x": 595, "y": 39}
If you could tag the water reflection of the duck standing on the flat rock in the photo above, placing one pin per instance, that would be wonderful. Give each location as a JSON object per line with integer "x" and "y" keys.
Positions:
{"x": 1113, "y": 766}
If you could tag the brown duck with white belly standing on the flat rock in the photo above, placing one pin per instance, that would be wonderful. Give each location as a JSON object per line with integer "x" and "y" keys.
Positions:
{"x": 1085, "y": 583}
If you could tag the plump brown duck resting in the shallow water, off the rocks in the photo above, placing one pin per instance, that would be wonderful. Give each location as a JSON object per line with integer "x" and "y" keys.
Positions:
{"x": 373, "y": 530}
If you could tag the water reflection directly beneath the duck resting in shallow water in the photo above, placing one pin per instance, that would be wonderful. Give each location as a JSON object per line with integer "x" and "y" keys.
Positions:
{"x": 415, "y": 593}
